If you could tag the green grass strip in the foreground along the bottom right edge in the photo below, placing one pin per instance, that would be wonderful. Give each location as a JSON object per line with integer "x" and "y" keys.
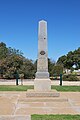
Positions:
{"x": 55, "y": 117}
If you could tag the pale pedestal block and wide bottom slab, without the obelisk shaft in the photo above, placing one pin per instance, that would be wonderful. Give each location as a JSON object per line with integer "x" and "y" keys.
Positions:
{"x": 42, "y": 88}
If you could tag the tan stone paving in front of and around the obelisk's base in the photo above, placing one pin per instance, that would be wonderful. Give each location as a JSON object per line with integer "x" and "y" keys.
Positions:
{"x": 16, "y": 106}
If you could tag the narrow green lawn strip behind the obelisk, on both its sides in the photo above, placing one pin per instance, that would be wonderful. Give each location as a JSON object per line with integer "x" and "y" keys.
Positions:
{"x": 25, "y": 87}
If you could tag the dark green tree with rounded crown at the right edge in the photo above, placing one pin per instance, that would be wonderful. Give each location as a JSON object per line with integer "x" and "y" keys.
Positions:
{"x": 73, "y": 57}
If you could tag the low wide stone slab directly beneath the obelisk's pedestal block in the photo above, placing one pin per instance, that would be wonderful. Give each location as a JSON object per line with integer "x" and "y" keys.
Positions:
{"x": 33, "y": 93}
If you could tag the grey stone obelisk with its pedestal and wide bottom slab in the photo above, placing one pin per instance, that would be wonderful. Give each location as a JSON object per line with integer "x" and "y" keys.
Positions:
{"x": 42, "y": 83}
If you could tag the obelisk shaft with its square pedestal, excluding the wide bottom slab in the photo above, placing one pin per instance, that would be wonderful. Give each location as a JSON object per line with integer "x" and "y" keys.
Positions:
{"x": 42, "y": 81}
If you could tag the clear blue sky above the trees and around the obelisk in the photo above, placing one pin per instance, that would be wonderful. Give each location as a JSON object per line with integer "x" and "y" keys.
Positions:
{"x": 19, "y": 25}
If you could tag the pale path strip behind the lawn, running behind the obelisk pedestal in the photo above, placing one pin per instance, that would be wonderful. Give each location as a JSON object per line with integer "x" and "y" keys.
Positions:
{"x": 31, "y": 82}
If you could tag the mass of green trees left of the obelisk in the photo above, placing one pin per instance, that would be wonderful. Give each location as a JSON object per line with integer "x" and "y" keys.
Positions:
{"x": 11, "y": 60}
